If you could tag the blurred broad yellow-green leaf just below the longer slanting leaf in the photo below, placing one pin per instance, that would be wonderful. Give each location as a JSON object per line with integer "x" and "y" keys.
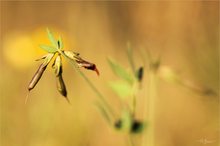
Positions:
{"x": 121, "y": 88}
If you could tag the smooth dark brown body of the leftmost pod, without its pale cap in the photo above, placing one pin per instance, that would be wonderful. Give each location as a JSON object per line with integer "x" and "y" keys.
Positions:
{"x": 37, "y": 76}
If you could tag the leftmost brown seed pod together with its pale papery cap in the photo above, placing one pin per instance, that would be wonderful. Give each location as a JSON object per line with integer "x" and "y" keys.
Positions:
{"x": 40, "y": 71}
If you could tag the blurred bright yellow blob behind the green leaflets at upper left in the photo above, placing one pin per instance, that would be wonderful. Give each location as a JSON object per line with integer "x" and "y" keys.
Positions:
{"x": 20, "y": 49}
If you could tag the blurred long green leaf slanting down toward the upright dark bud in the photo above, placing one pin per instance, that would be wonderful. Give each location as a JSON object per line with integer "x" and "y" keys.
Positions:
{"x": 120, "y": 71}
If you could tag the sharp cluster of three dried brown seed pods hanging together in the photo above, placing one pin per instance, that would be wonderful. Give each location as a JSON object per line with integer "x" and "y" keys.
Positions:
{"x": 58, "y": 69}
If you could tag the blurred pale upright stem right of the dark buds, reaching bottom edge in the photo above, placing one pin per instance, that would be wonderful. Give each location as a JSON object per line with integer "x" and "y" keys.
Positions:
{"x": 148, "y": 138}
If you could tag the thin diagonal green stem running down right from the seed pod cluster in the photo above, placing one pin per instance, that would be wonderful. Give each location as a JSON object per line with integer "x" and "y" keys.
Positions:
{"x": 92, "y": 86}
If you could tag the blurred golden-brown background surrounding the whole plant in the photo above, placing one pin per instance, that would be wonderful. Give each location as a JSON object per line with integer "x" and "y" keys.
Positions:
{"x": 185, "y": 35}
